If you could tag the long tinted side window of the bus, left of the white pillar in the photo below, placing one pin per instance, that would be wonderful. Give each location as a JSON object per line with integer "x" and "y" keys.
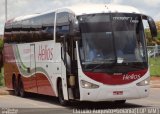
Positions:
{"x": 35, "y": 29}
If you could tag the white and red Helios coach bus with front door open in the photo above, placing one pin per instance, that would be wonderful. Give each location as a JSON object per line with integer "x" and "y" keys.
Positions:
{"x": 91, "y": 52}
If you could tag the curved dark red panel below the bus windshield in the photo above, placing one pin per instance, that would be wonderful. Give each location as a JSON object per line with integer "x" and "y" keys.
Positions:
{"x": 119, "y": 79}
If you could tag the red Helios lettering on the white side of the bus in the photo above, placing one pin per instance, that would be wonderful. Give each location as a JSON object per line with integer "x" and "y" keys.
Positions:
{"x": 45, "y": 53}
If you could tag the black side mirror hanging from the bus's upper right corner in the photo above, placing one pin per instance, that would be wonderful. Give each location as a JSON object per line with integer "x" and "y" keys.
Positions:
{"x": 152, "y": 26}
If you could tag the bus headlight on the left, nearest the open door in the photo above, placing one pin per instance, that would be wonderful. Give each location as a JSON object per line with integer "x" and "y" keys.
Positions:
{"x": 88, "y": 85}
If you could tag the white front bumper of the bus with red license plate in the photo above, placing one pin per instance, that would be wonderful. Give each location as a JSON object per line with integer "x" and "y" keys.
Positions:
{"x": 112, "y": 93}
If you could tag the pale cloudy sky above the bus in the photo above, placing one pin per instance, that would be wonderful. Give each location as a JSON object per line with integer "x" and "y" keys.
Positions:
{"x": 24, "y": 7}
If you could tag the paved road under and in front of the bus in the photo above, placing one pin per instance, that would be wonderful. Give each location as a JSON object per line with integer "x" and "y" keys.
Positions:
{"x": 39, "y": 104}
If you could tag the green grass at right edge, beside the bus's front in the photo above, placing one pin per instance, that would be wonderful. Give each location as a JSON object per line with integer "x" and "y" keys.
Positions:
{"x": 154, "y": 66}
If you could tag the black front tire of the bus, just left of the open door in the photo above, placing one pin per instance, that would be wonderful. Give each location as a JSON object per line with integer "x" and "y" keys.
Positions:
{"x": 60, "y": 94}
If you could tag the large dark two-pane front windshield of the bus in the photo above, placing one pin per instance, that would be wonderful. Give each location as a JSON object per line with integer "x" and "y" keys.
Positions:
{"x": 112, "y": 39}
